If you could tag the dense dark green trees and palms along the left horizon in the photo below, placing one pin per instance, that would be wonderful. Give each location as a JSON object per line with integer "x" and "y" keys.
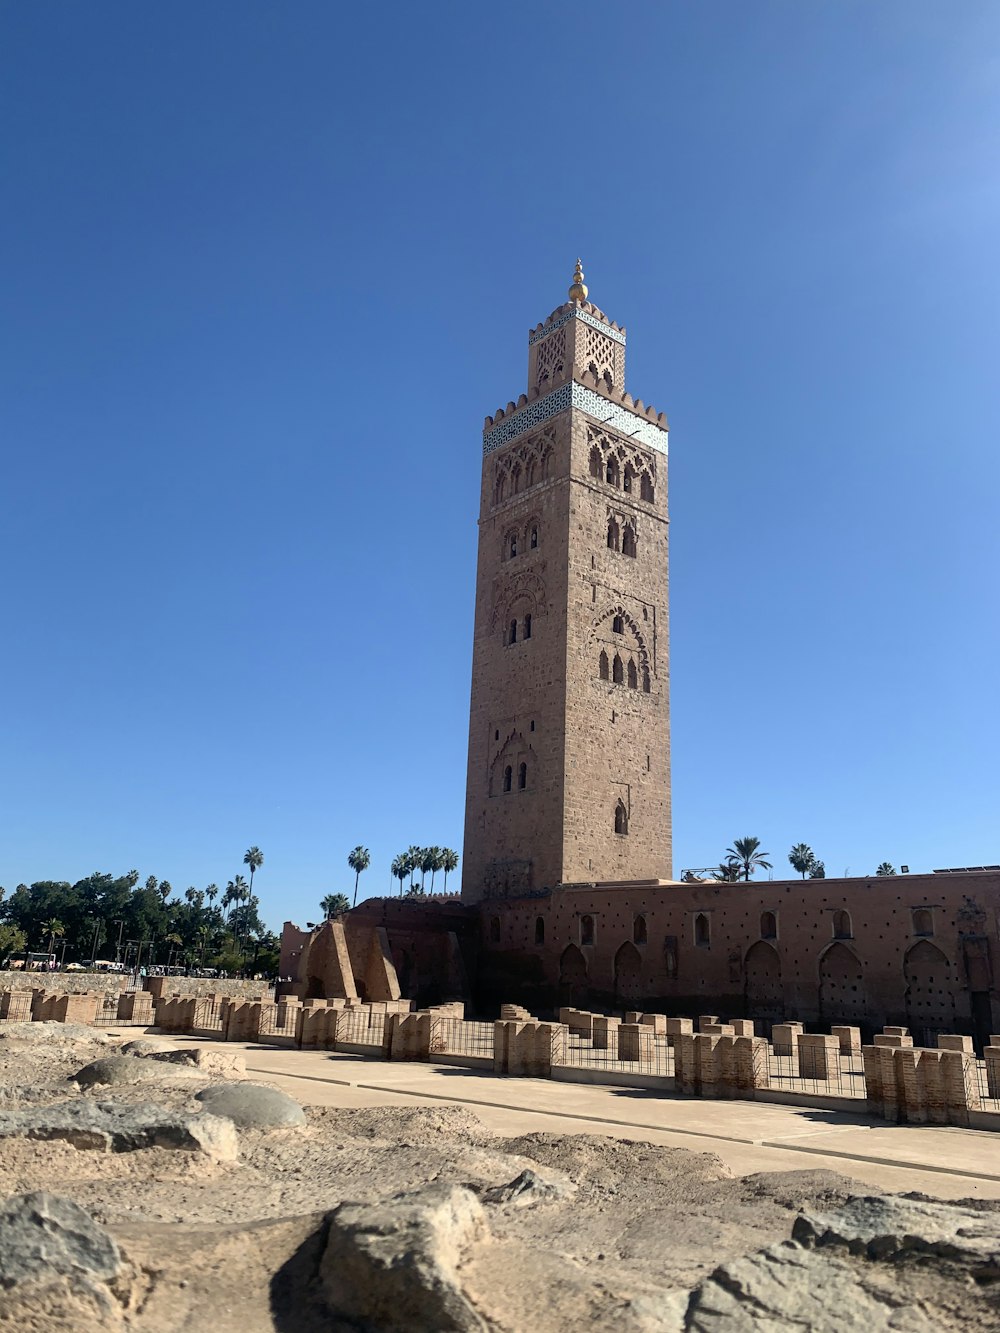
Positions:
{"x": 141, "y": 924}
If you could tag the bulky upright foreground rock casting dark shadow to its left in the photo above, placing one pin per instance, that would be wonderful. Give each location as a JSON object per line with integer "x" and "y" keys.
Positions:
{"x": 394, "y": 1266}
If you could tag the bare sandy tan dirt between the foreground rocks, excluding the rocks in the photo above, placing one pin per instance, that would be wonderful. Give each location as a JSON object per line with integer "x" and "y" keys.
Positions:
{"x": 625, "y": 1235}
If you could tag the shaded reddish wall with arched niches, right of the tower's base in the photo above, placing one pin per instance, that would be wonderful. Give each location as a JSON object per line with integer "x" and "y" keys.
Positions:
{"x": 918, "y": 950}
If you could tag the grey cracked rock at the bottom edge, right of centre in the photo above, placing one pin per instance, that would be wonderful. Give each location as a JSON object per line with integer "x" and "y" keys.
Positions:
{"x": 790, "y": 1290}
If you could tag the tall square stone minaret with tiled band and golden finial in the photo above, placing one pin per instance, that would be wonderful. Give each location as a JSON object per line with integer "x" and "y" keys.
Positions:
{"x": 569, "y": 778}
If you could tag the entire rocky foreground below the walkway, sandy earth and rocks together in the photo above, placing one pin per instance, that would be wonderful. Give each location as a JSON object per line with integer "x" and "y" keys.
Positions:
{"x": 159, "y": 1191}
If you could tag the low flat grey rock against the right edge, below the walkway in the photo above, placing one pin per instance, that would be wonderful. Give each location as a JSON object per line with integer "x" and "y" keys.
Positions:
{"x": 886, "y": 1227}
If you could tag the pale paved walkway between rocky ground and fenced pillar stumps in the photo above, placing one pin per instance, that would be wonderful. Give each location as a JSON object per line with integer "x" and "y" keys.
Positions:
{"x": 749, "y": 1136}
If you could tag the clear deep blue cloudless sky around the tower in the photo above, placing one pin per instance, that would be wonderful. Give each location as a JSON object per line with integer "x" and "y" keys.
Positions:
{"x": 266, "y": 267}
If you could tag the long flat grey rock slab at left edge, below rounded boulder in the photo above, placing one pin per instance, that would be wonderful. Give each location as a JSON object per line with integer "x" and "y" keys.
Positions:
{"x": 109, "y": 1127}
